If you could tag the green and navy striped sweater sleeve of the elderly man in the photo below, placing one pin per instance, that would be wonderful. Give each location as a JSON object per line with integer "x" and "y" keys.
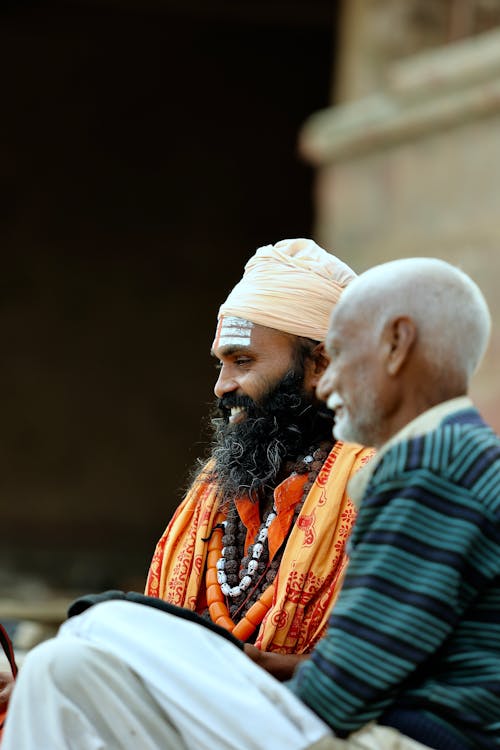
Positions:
{"x": 414, "y": 568}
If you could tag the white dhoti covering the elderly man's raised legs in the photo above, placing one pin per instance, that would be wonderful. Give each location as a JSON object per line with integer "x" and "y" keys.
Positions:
{"x": 128, "y": 677}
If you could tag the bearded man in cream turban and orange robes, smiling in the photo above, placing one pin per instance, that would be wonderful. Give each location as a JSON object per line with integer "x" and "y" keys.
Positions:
{"x": 257, "y": 545}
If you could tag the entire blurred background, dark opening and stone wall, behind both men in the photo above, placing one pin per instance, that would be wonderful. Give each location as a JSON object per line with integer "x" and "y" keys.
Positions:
{"x": 147, "y": 148}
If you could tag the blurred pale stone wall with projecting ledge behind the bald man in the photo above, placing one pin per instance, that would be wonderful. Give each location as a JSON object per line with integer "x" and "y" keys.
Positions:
{"x": 414, "y": 169}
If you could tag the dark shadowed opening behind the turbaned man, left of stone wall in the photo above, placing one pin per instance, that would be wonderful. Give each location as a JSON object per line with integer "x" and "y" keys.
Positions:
{"x": 146, "y": 151}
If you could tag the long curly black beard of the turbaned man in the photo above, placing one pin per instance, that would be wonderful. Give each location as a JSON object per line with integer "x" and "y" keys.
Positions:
{"x": 250, "y": 455}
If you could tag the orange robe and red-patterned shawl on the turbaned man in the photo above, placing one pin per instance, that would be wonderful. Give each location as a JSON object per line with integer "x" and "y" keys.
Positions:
{"x": 313, "y": 560}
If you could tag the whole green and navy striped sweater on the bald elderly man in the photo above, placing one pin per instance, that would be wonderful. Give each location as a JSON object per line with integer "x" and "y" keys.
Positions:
{"x": 414, "y": 639}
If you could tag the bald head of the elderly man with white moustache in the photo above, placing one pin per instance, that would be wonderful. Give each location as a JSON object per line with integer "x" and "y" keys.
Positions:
{"x": 410, "y": 333}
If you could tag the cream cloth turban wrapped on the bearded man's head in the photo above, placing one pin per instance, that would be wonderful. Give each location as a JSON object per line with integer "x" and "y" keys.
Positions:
{"x": 291, "y": 286}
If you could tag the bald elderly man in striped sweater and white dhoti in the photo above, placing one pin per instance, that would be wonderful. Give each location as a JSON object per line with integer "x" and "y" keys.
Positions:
{"x": 411, "y": 656}
